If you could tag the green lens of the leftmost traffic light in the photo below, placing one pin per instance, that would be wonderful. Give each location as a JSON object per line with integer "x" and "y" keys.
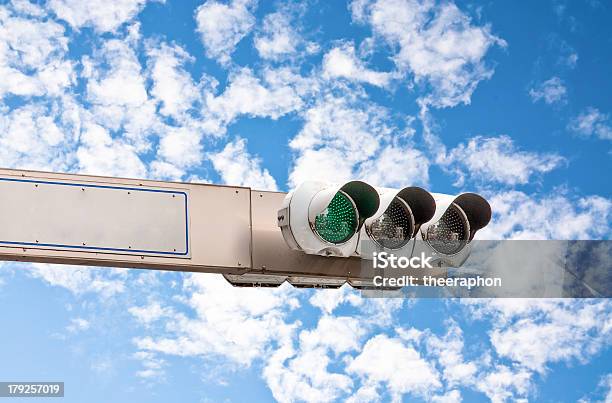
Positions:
{"x": 338, "y": 222}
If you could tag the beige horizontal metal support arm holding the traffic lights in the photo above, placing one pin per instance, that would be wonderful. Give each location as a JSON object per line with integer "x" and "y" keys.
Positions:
{"x": 133, "y": 223}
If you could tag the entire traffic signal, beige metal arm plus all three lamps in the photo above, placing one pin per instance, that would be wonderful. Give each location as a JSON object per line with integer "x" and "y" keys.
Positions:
{"x": 231, "y": 230}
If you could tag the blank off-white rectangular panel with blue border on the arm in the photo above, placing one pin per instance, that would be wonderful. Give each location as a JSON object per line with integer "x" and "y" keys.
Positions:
{"x": 94, "y": 217}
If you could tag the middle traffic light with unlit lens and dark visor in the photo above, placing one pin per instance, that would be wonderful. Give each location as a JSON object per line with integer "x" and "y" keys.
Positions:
{"x": 398, "y": 218}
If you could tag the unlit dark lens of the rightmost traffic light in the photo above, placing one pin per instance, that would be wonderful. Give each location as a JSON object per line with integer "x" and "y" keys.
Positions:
{"x": 450, "y": 234}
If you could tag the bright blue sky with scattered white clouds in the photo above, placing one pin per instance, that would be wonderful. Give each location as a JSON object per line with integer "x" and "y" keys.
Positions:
{"x": 510, "y": 100}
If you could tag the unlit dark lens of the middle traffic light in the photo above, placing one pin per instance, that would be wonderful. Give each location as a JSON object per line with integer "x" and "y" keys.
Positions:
{"x": 394, "y": 228}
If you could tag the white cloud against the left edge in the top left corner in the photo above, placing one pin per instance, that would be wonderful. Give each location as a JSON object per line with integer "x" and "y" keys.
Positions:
{"x": 32, "y": 52}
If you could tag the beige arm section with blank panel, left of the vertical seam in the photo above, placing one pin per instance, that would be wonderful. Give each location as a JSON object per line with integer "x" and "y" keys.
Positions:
{"x": 219, "y": 221}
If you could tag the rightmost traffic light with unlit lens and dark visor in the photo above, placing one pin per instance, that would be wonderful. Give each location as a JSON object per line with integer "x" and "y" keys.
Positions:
{"x": 448, "y": 234}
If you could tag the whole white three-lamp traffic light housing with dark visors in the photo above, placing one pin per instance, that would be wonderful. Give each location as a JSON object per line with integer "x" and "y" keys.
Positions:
{"x": 355, "y": 219}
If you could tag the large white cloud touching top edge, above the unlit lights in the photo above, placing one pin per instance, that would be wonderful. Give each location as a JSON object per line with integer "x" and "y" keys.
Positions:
{"x": 437, "y": 43}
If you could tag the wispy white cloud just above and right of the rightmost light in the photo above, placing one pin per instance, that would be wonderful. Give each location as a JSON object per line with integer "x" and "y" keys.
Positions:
{"x": 497, "y": 159}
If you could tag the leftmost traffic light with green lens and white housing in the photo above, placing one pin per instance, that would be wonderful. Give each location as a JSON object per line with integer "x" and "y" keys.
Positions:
{"x": 325, "y": 219}
